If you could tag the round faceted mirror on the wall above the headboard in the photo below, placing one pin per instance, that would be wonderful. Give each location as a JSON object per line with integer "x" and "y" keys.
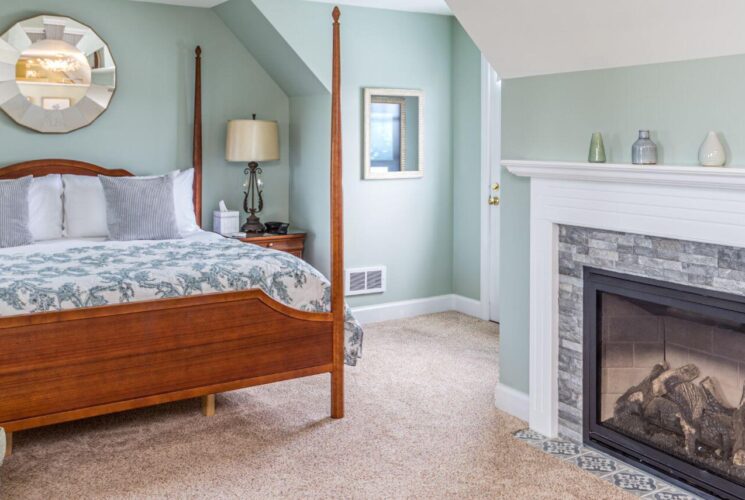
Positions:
{"x": 56, "y": 74}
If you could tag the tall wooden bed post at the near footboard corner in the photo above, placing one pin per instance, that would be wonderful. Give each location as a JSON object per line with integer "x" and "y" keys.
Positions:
{"x": 337, "y": 230}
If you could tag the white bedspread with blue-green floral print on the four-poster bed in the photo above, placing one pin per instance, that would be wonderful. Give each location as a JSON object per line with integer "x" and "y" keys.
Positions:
{"x": 70, "y": 275}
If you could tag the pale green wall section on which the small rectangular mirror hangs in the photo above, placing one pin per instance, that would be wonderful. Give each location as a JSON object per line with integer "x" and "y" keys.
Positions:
{"x": 404, "y": 224}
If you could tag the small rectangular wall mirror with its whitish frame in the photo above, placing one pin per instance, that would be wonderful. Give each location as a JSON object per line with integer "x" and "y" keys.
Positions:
{"x": 394, "y": 134}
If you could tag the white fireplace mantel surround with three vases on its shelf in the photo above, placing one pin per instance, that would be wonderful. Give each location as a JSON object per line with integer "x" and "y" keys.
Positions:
{"x": 701, "y": 204}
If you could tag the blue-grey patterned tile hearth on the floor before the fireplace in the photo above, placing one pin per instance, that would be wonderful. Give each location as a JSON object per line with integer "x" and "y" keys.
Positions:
{"x": 607, "y": 468}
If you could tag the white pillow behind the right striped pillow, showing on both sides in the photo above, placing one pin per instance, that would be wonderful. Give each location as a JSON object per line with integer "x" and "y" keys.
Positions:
{"x": 85, "y": 205}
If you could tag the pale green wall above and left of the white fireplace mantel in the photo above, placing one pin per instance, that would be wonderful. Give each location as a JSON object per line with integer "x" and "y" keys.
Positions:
{"x": 552, "y": 117}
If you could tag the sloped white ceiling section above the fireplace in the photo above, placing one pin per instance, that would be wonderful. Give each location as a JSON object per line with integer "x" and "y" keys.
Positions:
{"x": 535, "y": 37}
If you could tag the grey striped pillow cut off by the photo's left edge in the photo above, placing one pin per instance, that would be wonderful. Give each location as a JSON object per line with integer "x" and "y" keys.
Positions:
{"x": 14, "y": 217}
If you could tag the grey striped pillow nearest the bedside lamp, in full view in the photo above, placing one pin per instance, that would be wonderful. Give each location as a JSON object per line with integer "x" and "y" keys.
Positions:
{"x": 140, "y": 209}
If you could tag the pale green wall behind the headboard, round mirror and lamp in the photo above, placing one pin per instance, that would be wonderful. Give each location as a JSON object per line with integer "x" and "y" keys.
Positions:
{"x": 147, "y": 129}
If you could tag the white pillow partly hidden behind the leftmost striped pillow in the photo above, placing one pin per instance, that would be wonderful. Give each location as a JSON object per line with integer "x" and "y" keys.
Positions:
{"x": 45, "y": 208}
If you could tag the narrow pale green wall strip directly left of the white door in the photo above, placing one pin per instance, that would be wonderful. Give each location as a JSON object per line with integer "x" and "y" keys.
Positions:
{"x": 466, "y": 131}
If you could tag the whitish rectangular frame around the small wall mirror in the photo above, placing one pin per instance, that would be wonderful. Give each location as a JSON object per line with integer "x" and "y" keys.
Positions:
{"x": 368, "y": 174}
